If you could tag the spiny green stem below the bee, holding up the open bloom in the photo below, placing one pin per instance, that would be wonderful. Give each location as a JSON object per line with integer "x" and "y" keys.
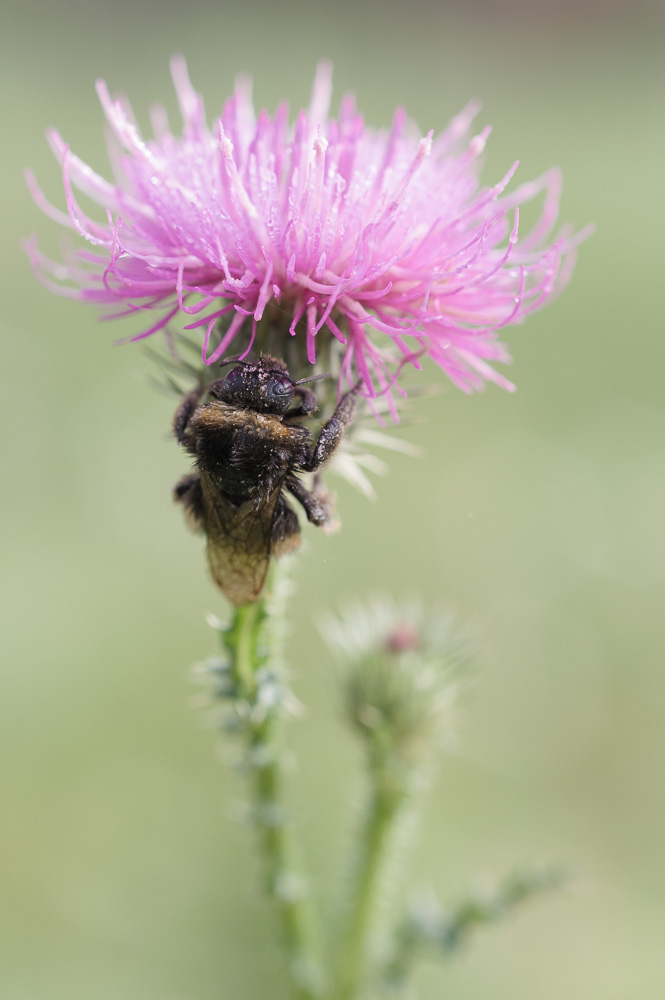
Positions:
{"x": 258, "y": 725}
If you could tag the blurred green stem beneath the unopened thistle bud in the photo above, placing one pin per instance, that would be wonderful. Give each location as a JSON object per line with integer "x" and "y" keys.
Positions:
{"x": 383, "y": 806}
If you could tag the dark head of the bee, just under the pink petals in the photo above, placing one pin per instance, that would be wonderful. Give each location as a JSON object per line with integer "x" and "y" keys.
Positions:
{"x": 263, "y": 386}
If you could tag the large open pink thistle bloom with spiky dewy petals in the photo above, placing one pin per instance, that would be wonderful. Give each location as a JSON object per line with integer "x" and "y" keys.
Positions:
{"x": 381, "y": 241}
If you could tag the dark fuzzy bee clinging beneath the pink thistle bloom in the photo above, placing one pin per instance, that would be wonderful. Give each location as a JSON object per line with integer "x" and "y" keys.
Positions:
{"x": 248, "y": 454}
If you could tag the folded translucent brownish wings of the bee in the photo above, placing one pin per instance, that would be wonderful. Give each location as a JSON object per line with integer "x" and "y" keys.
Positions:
{"x": 239, "y": 543}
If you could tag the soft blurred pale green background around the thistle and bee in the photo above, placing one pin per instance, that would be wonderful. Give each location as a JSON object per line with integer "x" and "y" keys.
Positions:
{"x": 538, "y": 516}
